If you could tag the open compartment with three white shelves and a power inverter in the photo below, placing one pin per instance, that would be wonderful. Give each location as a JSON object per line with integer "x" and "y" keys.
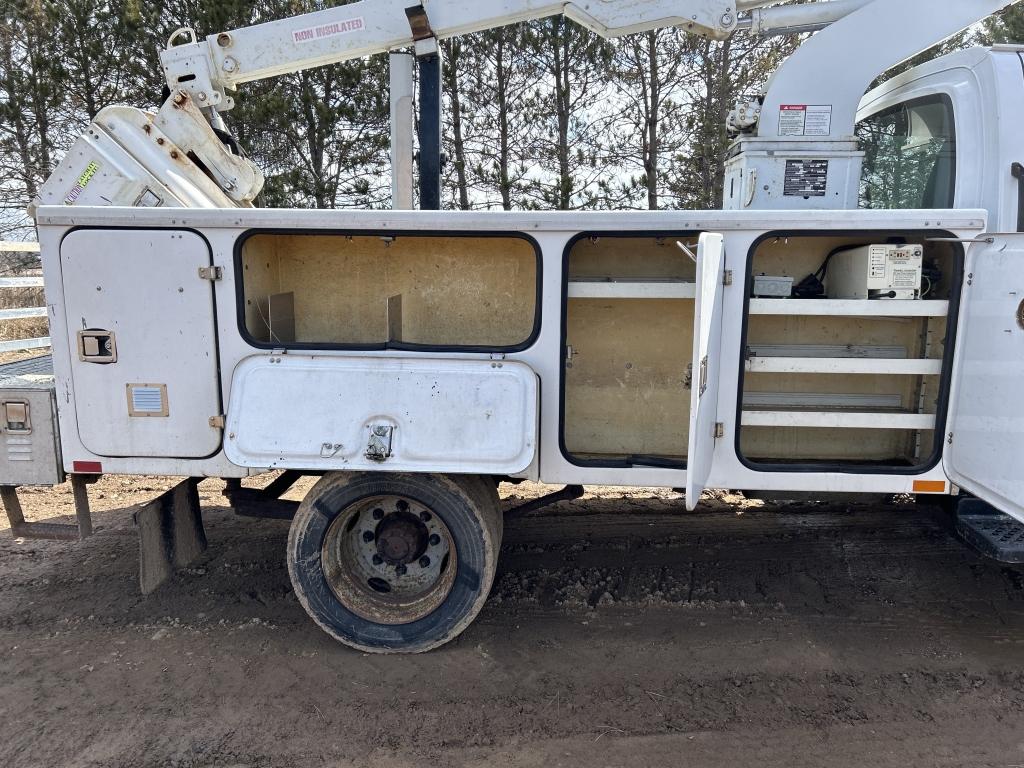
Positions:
{"x": 850, "y": 370}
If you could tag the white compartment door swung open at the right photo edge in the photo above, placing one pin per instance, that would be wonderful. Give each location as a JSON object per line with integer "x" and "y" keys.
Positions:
{"x": 985, "y": 452}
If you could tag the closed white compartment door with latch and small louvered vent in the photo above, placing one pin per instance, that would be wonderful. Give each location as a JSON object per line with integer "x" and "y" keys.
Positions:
{"x": 142, "y": 331}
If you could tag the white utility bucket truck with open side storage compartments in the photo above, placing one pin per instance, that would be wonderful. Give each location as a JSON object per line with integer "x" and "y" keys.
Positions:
{"x": 798, "y": 343}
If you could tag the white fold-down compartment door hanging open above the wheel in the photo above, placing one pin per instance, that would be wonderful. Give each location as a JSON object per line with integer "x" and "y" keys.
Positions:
{"x": 301, "y": 412}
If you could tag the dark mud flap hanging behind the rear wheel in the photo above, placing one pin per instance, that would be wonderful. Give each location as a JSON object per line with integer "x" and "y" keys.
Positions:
{"x": 170, "y": 534}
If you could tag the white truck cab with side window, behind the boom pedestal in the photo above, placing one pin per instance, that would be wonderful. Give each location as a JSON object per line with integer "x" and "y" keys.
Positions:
{"x": 947, "y": 135}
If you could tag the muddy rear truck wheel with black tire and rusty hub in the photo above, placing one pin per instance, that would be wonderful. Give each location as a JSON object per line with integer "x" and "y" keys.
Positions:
{"x": 395, "y": 564}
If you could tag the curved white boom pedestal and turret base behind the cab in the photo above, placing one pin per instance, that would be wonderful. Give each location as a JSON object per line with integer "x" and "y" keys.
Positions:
{"x": 801, "y": 151}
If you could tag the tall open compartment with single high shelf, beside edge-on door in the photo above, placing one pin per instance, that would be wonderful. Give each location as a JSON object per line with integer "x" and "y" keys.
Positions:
{"x": 629, "y": 338}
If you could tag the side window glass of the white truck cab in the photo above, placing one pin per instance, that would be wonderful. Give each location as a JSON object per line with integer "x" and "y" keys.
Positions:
{"x": 911, "y": 156}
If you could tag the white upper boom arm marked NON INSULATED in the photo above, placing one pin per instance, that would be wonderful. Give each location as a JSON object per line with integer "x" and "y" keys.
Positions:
{"x": 209, "y": 69}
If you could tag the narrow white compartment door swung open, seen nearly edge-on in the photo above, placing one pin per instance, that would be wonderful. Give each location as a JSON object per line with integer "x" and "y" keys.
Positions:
{"x": 707, "y": 361}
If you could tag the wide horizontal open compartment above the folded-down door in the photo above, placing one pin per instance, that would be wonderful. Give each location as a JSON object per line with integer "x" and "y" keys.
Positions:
{"x": 399, "y": 291}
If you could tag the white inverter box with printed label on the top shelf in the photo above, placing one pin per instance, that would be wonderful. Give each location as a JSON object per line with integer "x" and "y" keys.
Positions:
{"x": 879, "y": 272}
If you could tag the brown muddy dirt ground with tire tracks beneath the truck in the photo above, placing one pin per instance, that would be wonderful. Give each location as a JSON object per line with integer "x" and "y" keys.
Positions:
{"x": 622, "y": 631}
